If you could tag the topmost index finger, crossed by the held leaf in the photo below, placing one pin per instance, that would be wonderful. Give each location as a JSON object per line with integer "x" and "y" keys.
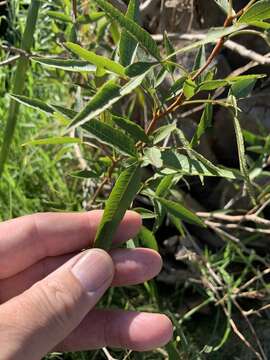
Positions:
{"x": 28, "y": 239}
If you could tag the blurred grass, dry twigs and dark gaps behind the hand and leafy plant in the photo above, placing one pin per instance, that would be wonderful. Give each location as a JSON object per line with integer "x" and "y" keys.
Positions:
{"x": 215, "y": 291}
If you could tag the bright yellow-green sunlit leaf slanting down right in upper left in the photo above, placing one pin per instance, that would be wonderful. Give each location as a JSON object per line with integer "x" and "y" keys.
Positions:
{"x": 98, "y": 60}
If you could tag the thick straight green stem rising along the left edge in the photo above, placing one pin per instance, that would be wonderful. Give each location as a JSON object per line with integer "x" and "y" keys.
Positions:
{"x": 19, "y": 80}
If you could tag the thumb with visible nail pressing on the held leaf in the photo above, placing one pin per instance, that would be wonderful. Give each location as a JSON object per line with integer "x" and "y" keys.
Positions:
{"x": 34, "y": 322}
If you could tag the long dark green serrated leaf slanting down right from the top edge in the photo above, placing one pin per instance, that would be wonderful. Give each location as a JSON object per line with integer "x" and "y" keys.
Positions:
{"x": 142, "y": 36}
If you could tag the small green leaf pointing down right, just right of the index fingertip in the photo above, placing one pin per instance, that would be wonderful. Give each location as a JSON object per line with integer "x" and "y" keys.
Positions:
{"x": 181, "y": 212}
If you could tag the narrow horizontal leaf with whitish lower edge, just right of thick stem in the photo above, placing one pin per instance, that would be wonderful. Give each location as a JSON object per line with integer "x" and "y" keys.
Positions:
{"x": 66, "y": 64}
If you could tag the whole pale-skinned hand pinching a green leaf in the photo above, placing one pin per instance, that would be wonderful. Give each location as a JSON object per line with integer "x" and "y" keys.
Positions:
{"x": 49, "y": 287}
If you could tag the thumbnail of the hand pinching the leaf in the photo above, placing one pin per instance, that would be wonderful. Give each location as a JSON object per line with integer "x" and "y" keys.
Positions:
{"x": 94, "y": 270}
